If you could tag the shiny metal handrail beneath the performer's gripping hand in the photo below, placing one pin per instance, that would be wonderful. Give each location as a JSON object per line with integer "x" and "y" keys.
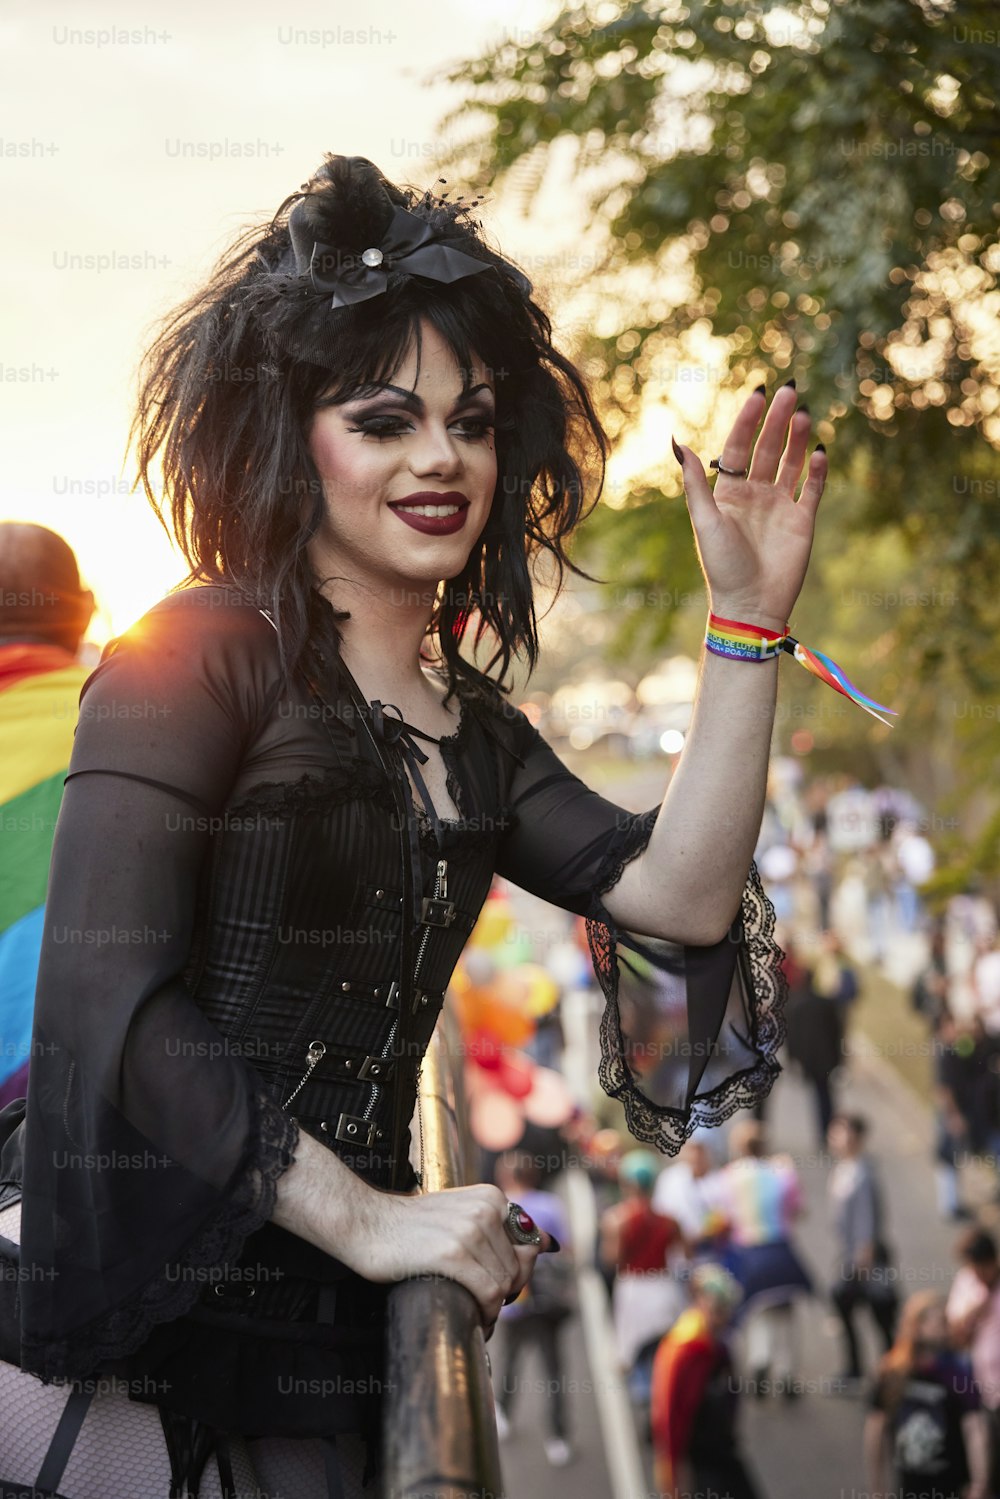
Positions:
{"x": 440, "y": 1425}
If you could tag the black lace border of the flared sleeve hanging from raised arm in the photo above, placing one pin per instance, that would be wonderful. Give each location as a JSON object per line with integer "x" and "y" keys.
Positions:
{"x": 768, "y": 989}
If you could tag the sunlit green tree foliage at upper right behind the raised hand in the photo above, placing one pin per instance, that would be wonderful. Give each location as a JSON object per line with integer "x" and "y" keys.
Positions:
{"x": 830, "y": 175}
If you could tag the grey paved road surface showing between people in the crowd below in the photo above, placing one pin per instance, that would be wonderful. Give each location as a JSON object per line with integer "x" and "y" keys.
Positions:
{"x": 813, "y": 1447}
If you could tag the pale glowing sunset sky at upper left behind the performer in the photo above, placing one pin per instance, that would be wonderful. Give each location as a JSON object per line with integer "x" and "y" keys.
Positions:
{"x": 137, "y": 140}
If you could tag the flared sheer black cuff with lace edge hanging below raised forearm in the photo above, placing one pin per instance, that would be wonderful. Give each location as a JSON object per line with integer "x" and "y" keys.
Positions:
{"x": 690, "y": 1034}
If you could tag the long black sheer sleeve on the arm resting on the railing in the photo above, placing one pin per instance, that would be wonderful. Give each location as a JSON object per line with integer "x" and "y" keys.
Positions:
{"x": 151, "y": 1152}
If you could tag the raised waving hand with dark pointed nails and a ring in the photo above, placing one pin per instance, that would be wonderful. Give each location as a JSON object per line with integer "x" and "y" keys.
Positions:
{"x": 753, "y": 536}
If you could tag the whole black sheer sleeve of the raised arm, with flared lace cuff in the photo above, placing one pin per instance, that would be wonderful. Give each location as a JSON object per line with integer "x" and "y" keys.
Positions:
{"x": 690, "y": 1034}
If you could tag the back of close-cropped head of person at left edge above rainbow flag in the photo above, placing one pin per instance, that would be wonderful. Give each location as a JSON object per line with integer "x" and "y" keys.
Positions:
{"x": 41, "y": 597}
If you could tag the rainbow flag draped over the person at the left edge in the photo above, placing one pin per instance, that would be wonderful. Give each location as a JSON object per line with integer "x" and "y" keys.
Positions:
{"x": 40, "y": 705}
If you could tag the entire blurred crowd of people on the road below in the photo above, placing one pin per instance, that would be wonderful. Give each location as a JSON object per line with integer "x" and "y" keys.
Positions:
{"x": 708, "y": 1290}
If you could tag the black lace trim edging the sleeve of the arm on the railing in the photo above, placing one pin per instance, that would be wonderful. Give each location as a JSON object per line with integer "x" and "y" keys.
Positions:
{"x": 250, "y": 1206}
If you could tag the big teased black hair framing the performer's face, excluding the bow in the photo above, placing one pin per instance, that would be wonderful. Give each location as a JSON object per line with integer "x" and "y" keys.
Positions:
{"x": 233, "y": 378}
